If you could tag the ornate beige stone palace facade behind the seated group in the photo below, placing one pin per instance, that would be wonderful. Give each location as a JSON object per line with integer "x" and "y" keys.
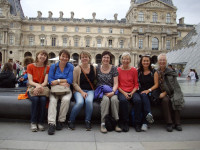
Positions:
{"x": 149, "y": 27}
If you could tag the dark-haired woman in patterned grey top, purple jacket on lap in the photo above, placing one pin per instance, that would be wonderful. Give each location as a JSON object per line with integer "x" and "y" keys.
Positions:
{"x": 107, "y": 84}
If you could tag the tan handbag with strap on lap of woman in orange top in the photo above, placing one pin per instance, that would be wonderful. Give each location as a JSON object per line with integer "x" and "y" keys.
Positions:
{"x": 45, "y": 88}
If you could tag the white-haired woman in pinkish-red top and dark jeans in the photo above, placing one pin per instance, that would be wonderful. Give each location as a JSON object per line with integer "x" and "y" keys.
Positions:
{"x": 128, "y": 85}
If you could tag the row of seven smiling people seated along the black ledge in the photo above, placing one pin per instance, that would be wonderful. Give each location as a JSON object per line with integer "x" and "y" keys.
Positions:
{"x": 116, "y": 89}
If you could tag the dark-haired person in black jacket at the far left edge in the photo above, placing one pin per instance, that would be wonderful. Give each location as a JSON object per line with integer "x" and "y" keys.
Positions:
{"x": 7, "y": 76}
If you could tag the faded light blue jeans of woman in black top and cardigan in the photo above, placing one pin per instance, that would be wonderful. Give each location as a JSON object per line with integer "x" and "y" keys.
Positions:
{"x": 79, "y": 104}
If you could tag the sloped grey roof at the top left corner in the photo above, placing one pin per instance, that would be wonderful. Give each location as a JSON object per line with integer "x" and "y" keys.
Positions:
{"x": 16, "y": 7}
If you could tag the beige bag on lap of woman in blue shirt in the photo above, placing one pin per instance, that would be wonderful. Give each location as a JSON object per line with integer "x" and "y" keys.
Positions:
{"x": 60, "y": 90}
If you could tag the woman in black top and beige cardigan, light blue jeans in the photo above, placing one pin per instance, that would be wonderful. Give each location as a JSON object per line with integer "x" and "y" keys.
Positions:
{"x": 83, "y": 90}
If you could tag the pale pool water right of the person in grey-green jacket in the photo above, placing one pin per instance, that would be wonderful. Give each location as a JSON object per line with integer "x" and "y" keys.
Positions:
{"x": 189, "y": 86}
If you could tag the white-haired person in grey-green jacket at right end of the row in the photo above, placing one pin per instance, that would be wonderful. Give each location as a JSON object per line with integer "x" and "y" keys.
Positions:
{"x": 171, "y": 95}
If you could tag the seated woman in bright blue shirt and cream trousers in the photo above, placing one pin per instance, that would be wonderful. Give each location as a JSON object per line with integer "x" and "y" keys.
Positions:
{"x": 61, "y": 74}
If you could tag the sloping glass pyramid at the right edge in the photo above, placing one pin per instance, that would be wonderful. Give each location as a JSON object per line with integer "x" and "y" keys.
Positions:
{"x": 187, "y": 51}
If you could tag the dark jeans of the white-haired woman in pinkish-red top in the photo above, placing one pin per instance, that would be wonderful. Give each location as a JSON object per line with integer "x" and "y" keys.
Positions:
{"x": 124, "y": 111}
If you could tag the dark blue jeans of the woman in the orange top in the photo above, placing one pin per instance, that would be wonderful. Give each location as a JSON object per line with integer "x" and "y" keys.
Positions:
{"x": 38, "y": 108}
